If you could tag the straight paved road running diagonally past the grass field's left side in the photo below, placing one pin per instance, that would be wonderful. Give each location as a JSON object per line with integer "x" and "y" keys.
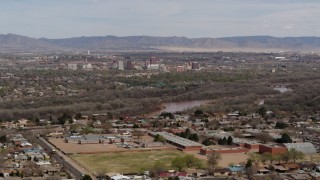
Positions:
{"x": 64, "y": 160}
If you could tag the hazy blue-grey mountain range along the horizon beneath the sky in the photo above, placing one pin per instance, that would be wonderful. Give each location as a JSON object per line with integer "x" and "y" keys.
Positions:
{"x": 17, "y": 43}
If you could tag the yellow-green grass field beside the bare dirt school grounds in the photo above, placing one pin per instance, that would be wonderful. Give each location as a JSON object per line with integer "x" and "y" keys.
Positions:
{"x": 126, "y": 162}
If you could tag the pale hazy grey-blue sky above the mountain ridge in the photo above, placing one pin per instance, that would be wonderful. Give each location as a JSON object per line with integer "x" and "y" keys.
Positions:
{"x": 191, "y": 18}
